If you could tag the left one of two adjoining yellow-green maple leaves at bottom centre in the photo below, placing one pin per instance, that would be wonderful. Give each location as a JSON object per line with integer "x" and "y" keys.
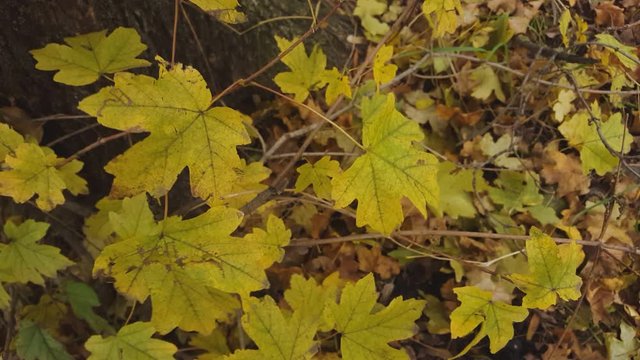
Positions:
{"x": 281, "y": 334}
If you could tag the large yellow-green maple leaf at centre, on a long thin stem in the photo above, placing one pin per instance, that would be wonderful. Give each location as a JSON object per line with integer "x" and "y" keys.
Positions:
{"x": 390, "y": 169}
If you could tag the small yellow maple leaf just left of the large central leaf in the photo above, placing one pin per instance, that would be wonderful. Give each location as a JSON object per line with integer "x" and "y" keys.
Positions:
{"x": 318, "y": 174}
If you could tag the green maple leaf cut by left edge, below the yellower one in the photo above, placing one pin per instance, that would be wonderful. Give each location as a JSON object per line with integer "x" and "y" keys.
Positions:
{"x": 23, "y": 260}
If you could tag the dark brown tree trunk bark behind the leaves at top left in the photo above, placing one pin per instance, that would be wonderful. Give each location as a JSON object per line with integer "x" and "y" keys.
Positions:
{"x": 223, "y": 57}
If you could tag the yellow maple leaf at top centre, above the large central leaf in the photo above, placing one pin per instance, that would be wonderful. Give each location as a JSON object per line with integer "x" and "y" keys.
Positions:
{"x": 306, "y": 71}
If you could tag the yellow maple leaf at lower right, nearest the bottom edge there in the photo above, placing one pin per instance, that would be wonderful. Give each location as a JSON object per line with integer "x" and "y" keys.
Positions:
{"x": 478, "y": 307}
